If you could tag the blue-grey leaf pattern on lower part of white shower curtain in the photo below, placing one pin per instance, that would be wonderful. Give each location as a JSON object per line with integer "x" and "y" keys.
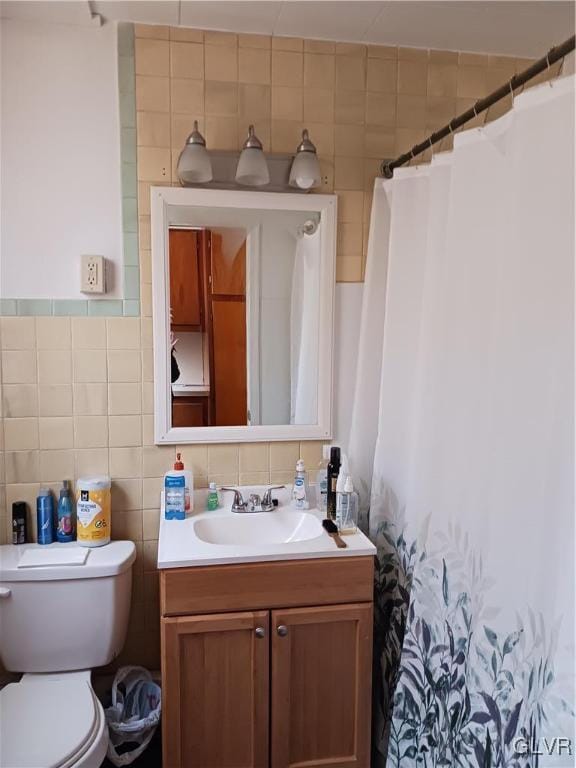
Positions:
{"x": 448, "y": 689}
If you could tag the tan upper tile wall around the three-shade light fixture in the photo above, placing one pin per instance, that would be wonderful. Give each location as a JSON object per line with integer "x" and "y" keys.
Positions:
{"x": 360, "y": 103}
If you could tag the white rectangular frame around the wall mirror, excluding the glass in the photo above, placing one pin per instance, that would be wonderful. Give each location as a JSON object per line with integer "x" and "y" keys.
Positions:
{"x": 161, "y": 198}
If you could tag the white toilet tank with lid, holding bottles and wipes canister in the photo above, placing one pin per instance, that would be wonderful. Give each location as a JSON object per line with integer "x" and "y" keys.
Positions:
{"x": 59, "y": 616}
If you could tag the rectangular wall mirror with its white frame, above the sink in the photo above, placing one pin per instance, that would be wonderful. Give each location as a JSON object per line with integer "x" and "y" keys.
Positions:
{"x": 243, "y": 295}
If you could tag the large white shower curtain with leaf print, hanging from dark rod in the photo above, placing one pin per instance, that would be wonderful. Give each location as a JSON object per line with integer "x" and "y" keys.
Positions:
{"x": 469, "y": 471}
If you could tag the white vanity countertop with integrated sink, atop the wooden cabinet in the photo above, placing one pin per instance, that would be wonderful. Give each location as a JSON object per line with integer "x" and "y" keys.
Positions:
{"x": 179, "y": 545}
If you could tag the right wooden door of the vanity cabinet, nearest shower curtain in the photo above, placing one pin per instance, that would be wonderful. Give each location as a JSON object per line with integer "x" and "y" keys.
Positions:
{"x": 321, "y": 686}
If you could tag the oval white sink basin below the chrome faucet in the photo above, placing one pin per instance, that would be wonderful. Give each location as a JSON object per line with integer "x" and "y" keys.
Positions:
{"x": 248, "y": 529}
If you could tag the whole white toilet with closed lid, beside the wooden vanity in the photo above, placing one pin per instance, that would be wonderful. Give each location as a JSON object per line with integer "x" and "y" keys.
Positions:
{"x": 63, "y": 611}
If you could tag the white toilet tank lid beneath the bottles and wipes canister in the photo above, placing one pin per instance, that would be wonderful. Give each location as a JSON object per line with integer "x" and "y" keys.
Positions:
{"x": 110, "y": 560}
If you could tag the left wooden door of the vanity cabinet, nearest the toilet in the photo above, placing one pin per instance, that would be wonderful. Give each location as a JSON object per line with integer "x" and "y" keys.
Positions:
{"x": 215, "y": 691}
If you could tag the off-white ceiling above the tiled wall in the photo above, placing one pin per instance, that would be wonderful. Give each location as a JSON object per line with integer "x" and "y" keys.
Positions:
{"x": 513, "y": 27}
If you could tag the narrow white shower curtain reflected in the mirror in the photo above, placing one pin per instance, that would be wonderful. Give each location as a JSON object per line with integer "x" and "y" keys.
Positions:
{"x": 304, "y": 340}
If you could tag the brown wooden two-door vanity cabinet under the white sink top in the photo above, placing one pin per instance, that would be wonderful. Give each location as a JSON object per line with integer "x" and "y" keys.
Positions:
{"x": 274, "y": 686}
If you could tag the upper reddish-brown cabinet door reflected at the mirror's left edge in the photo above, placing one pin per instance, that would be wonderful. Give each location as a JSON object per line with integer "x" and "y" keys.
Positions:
{"x": 185, "y": 280}
